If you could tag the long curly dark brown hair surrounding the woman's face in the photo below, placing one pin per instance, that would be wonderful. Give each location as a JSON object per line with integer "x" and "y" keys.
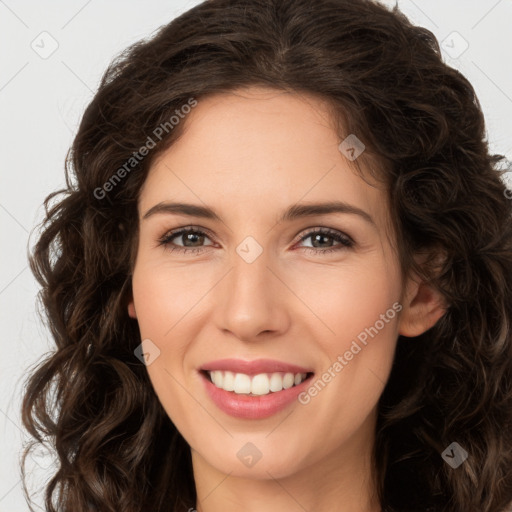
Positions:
{"x": 92, "y": 399}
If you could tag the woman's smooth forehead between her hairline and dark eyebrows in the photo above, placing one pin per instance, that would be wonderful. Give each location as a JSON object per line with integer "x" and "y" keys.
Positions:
{"x": 263, "y": 149}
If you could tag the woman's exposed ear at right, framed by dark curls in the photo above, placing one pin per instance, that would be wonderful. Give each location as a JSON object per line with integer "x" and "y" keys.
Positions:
{"x": 423, "y": 306}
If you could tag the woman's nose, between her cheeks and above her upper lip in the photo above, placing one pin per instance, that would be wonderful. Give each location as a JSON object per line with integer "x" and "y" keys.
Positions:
{"x": 252, "y": 301}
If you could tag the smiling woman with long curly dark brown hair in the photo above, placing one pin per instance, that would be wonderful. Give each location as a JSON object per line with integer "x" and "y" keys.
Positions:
{"x": 211, "y": 353}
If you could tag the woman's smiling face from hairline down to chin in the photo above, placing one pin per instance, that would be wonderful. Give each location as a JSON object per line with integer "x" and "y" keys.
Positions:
{"x": 251, "y": 273}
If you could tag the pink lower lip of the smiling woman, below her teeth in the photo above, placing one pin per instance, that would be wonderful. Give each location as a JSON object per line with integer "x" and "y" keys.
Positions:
{"x": 253, "y": 407}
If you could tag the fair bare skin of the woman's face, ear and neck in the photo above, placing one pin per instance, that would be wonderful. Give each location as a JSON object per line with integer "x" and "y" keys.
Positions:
{"x": 249, "y": 155}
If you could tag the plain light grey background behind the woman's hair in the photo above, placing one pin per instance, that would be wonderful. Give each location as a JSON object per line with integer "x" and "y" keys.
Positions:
{"x": 42, "y": 99}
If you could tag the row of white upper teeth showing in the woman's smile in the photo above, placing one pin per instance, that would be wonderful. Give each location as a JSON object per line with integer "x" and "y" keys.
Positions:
{"x": 260, "y": 384}
